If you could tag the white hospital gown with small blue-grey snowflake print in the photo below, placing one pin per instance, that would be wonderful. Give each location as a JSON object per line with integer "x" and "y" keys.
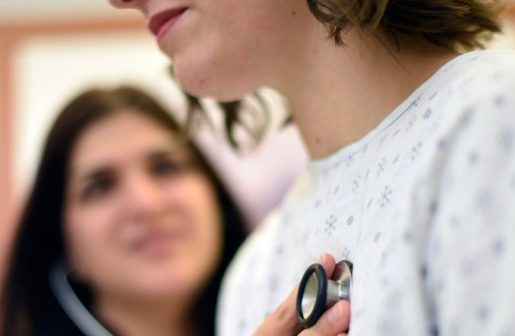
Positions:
{"x": 424, "y": 207}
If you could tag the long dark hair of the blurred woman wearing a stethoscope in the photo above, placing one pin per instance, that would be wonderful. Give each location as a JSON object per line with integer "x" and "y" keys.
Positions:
{"x": 28, "y": 305}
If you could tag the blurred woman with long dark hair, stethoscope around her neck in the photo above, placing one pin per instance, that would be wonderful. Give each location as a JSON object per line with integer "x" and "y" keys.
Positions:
{"x": 127, "y": 230}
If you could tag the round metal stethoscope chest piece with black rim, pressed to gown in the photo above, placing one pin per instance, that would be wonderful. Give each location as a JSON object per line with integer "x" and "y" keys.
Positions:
{"x": 317, "y": 292}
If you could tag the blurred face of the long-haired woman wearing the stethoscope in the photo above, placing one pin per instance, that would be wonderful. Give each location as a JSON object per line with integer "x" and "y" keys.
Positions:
{"x": 141, "y": 218}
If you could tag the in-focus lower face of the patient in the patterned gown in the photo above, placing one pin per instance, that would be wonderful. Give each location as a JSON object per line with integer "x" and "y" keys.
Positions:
{"x": 227, "y": 48}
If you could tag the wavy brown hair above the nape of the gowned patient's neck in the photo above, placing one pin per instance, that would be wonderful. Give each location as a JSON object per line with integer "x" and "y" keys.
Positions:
{"x": 454, "y": 24}
